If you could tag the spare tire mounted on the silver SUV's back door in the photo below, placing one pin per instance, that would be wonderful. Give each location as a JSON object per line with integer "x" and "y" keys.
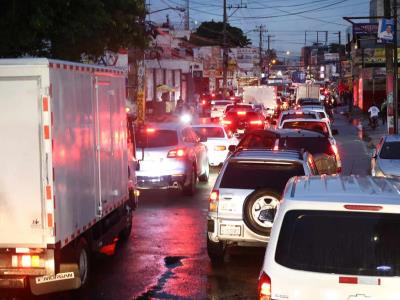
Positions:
{"x": 262, "y": 198}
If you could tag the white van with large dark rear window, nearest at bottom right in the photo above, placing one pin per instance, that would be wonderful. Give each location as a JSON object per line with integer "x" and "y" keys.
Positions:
{"x": 335, "y": 237}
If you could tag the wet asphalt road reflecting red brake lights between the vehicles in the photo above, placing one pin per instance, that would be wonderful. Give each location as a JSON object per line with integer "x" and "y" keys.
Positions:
{"x": 166, "y": 257}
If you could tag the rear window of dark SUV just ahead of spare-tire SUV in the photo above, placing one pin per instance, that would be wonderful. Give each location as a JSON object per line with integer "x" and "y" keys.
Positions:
{"x": 314, "y": 145}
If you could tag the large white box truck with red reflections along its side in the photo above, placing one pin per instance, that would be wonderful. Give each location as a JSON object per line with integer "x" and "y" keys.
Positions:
{"x": 65, "y": 191}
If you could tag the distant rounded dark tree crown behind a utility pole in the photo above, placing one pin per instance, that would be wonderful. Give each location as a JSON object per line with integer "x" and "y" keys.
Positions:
{"x": 211, "y": 34}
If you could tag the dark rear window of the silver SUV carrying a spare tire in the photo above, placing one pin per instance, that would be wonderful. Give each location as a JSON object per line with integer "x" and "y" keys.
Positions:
{"x": 255, "y": 175}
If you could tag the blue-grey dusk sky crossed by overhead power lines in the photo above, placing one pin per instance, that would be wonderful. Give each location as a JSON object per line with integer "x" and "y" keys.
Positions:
{"x": 286, "y": 20}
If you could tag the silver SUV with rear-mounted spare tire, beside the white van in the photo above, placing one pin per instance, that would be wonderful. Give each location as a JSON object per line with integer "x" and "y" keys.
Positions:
{"x": 243, "y": 202}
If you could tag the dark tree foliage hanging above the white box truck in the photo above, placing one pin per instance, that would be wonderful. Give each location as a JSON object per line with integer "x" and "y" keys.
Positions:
{"x": 66, "y": 29}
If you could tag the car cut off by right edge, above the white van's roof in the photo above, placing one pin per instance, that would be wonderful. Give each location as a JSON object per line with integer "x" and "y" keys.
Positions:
{"x": 385, "y": 161}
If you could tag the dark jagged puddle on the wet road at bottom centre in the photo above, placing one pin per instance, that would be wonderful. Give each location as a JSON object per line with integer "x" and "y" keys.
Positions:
{"x": 156, "y": 291}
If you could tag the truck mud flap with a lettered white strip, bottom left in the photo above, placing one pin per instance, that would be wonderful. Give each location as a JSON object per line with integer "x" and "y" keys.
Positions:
{"x": 68, "y": 279}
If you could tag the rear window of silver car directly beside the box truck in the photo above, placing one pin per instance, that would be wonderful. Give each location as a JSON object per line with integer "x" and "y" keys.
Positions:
{"x": 154, "y": 138}
